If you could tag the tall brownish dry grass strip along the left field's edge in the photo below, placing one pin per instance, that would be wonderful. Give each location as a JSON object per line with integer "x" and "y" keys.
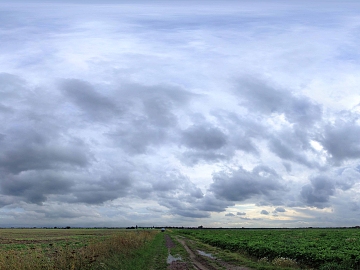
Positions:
{"x": 93, "y": 255}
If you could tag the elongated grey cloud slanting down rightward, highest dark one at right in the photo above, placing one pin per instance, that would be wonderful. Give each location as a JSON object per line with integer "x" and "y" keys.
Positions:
{"x": 258, "y": 95}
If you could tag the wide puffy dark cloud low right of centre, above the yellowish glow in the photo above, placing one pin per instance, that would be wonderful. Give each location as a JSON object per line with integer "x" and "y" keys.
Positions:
{"x": 239, "y": 185}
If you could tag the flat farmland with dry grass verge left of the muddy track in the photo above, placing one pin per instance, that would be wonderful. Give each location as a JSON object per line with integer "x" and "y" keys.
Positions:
{"x": 80, "y": 249}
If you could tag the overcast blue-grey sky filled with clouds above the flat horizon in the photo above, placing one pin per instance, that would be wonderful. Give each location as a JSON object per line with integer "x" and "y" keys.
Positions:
{"x": 212, "y": 113}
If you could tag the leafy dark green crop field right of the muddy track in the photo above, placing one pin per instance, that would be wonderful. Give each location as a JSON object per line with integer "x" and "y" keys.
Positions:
{"x": 305, "y": 248}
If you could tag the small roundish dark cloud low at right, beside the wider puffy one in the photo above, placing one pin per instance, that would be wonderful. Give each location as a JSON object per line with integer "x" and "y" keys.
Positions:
{"x": 318, "y": 193}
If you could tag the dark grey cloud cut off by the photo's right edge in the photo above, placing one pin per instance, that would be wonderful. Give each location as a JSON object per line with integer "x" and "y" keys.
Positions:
{"x": 341, "y": 140}
